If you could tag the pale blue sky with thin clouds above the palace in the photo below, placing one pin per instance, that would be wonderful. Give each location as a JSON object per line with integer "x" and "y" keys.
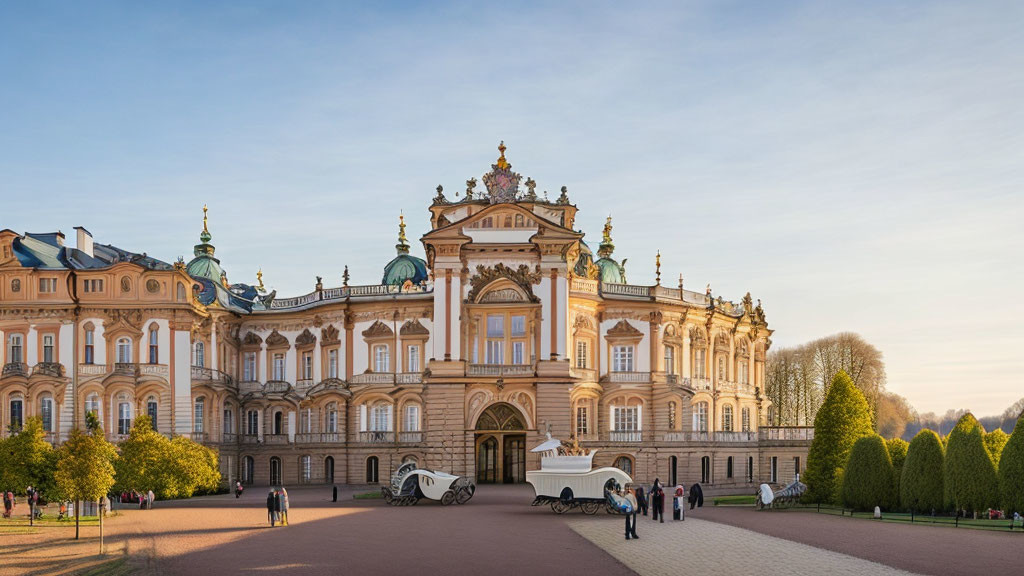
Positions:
{"x": 858, "y": 167}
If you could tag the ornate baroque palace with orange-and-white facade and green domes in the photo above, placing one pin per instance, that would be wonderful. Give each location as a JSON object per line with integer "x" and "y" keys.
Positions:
{"x": 509, "y": 327}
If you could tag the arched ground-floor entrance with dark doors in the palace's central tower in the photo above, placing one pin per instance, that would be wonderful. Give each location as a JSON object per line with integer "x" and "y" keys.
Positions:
{"x": 501, "y": 446}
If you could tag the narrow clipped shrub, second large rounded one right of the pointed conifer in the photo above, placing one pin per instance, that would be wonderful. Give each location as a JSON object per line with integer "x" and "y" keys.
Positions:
{"x": 921, "y": 486}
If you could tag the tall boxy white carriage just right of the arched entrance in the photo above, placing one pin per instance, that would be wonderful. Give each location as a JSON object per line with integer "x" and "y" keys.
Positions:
{"x": 568, "y": 480}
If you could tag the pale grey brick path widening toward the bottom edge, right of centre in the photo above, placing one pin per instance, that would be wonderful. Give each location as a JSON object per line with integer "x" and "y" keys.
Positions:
{"x": 710, "y": 549}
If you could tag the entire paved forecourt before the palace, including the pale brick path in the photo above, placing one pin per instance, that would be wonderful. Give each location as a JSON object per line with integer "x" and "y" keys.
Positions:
{"x": 496, "y": 533}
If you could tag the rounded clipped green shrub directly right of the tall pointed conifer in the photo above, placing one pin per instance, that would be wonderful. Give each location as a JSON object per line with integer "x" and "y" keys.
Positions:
{"x": 868, "y": 478}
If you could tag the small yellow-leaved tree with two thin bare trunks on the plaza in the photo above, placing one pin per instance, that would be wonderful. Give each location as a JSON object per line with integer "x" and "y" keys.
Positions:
{"x": 86, "y": 468}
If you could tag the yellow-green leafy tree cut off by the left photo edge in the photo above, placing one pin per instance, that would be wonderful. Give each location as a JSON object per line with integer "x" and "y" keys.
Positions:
{"x": 27, "y": 460}
